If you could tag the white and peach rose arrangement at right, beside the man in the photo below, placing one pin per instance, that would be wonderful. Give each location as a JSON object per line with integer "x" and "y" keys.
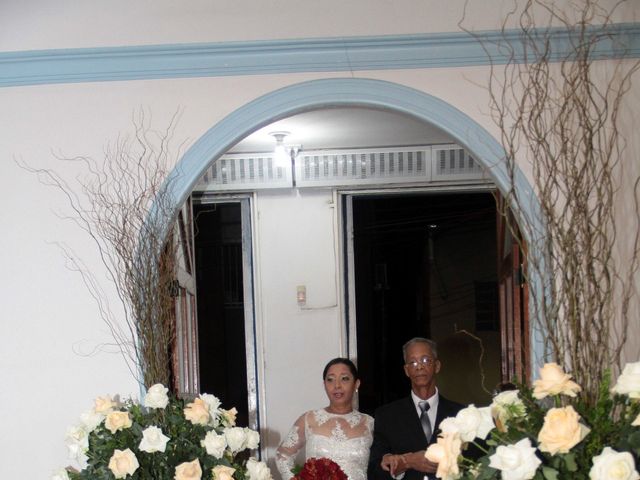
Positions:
{"x": 546, "y": 433}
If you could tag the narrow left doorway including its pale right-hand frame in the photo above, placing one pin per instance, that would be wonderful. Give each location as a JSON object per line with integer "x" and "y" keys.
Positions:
{"x": 222, "y": 246}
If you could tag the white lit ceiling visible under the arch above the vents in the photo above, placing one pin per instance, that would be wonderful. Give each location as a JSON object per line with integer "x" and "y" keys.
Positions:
{"x": 337, "y": 128}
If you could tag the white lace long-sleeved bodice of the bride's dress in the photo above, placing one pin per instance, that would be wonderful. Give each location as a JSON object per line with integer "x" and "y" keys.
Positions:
{"x": 345, "y": 439}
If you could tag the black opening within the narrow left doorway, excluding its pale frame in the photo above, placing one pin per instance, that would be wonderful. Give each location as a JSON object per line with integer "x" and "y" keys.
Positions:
{"x": 221, "y": 335}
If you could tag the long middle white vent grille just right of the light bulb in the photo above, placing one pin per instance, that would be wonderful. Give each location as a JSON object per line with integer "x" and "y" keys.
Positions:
{"x": 363, "y": 167}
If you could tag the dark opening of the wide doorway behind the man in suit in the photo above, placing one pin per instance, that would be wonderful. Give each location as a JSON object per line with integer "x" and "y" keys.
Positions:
{"x": 425, "y": 265}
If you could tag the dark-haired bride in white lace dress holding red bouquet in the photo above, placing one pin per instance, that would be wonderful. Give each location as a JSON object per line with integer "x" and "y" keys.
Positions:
{"x": 337, "y": 432}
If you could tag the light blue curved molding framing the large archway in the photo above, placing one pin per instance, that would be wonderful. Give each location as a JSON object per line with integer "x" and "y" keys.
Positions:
{"x": 324, "y": 93}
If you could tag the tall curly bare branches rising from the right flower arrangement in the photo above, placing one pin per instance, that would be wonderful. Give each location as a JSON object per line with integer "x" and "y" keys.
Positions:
{"x": 560, "y": 110}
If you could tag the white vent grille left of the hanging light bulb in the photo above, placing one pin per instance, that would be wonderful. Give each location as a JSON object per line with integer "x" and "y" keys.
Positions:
{"x": 241, "y": 172}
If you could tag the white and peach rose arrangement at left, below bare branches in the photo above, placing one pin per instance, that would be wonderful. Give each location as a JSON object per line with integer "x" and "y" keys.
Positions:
{"x": 165, "y": 438}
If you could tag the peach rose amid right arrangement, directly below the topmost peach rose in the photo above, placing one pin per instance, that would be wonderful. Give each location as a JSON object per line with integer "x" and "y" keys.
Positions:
{"x": 561, "y": 430}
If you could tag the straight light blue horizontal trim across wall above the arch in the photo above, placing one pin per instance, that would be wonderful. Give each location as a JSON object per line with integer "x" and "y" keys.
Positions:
{"x": 285, "y": 56}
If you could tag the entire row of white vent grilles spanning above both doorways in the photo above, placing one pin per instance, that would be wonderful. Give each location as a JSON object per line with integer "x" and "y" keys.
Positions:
{"x": 423, "y": 164}
